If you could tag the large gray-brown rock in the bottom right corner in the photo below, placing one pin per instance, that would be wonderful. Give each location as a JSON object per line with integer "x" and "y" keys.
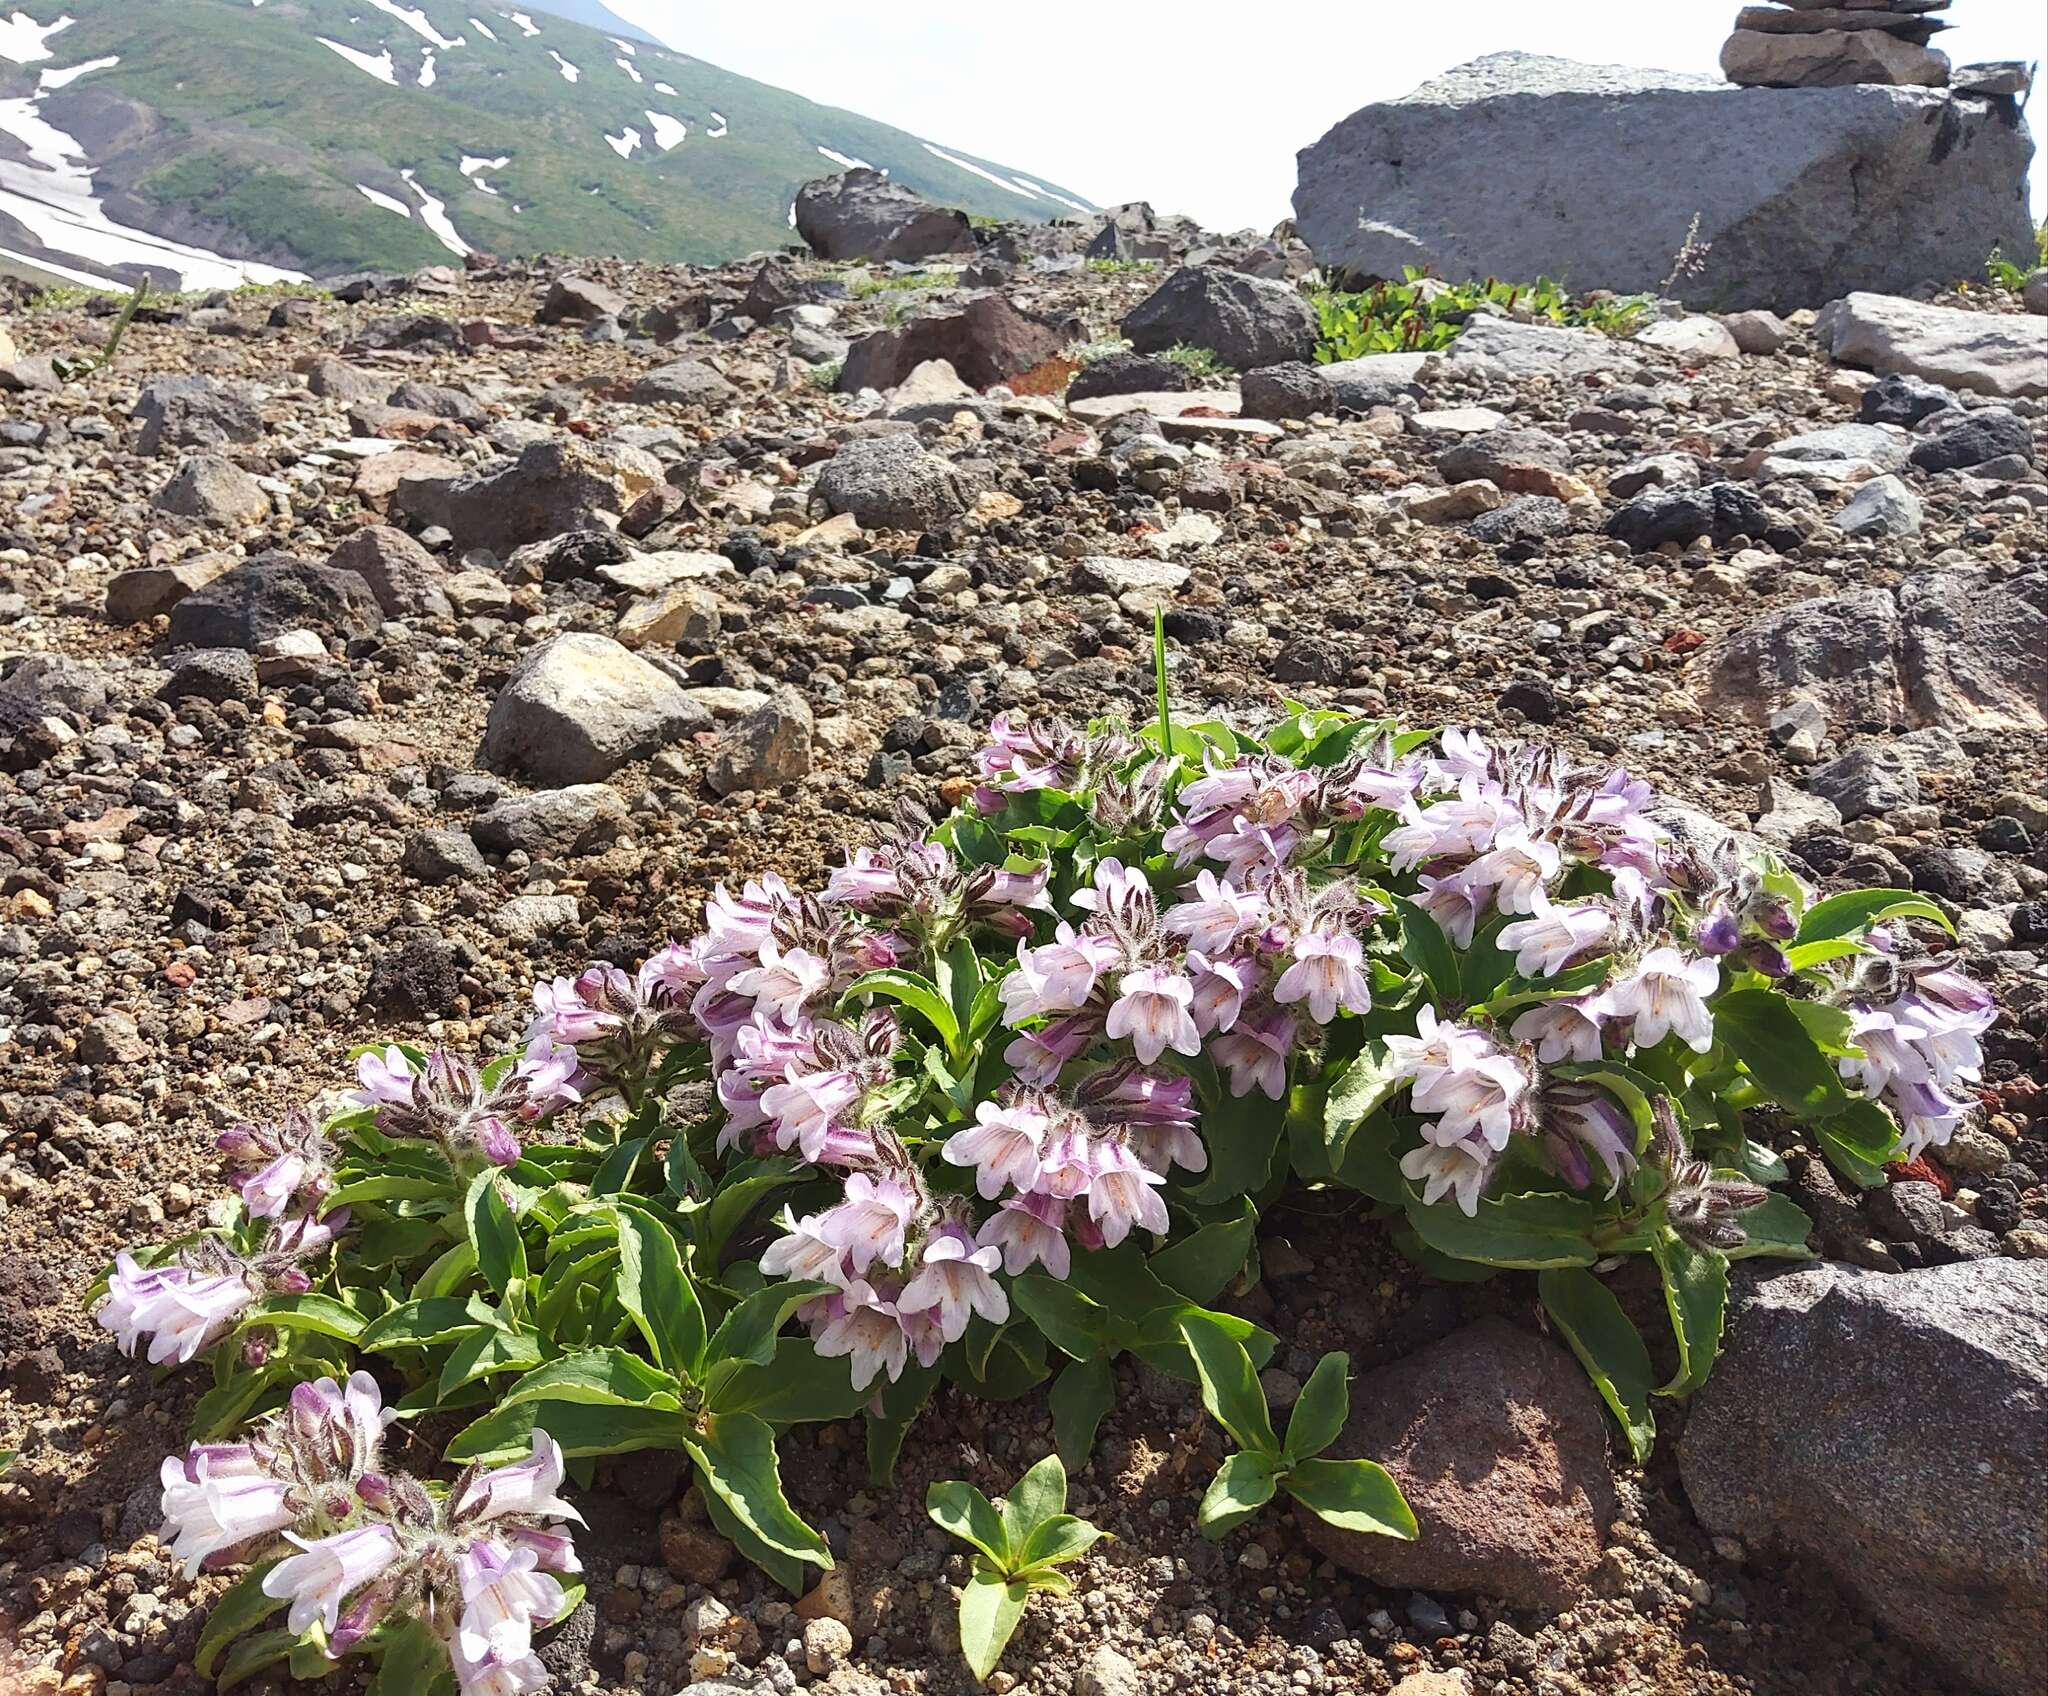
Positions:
{"x": 1893, "y": 1429}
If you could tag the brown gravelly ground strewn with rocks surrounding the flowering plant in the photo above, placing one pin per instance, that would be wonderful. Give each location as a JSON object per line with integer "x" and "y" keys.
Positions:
{"x": 364, "y": 661}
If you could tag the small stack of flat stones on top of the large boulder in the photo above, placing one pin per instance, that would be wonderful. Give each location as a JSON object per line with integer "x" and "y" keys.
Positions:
{"x": 1826, "y": 44}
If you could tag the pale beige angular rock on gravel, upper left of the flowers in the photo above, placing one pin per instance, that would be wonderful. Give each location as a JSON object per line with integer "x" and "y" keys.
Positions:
{"x": 581, "y": 708}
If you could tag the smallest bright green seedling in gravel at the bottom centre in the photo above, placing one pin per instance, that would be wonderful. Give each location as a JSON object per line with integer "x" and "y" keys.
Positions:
{"x": 1019, "y": 1550}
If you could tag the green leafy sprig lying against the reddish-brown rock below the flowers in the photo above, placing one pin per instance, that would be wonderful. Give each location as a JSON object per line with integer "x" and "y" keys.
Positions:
{"x": 1349, "y": 1494}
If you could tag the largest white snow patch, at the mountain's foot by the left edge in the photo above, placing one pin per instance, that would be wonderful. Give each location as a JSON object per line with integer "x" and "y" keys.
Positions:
{"x": 50, "y": 196}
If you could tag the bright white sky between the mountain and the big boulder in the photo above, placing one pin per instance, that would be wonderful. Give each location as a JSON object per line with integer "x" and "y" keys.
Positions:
{"x": 1197, "y": 108}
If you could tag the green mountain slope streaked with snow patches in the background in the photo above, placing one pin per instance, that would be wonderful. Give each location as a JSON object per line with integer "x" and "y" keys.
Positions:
{"x": 321, "y": 136}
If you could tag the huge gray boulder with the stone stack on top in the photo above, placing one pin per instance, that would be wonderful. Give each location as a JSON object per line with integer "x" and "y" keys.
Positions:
{"x": 1525, "y": 167}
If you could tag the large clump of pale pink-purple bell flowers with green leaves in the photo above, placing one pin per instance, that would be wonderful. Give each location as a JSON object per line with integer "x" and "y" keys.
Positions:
{"x": 1005, "y": 1099}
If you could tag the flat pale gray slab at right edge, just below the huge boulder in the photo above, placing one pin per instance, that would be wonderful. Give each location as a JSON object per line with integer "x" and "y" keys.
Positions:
{"x": 1986, "y": 351}
